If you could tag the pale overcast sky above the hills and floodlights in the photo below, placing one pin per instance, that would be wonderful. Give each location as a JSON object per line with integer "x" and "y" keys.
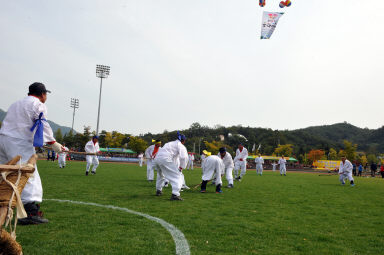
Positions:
{"x": 175, "y": 62}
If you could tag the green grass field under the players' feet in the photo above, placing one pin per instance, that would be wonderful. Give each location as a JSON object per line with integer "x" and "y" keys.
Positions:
{"x": 298, "y": 214}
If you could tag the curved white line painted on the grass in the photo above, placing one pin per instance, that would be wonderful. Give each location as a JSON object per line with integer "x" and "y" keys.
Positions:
{"x": 182, "y": 246}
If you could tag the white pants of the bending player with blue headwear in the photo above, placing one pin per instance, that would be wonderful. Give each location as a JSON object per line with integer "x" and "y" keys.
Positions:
{"x": 167, "y": 169}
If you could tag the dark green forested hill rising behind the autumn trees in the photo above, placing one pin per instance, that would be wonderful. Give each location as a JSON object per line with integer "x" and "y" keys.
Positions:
{"x": 303, "y": 140}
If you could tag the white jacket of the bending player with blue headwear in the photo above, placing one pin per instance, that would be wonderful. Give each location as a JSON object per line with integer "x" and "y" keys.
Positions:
{"x": 172, "y": 152}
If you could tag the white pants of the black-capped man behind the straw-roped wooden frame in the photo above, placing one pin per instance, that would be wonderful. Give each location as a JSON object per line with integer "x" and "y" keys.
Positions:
{"x": 11, "y": 147}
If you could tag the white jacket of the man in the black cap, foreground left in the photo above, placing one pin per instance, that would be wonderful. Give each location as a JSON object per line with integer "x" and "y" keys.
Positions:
{"x": 20, "y": 118}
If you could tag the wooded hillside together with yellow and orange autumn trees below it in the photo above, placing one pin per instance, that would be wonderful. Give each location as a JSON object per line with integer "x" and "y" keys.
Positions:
{"x": 307, "y": 145}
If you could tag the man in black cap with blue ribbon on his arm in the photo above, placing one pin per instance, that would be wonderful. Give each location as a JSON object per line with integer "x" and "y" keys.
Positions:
{"x": 25, "y": 127}
